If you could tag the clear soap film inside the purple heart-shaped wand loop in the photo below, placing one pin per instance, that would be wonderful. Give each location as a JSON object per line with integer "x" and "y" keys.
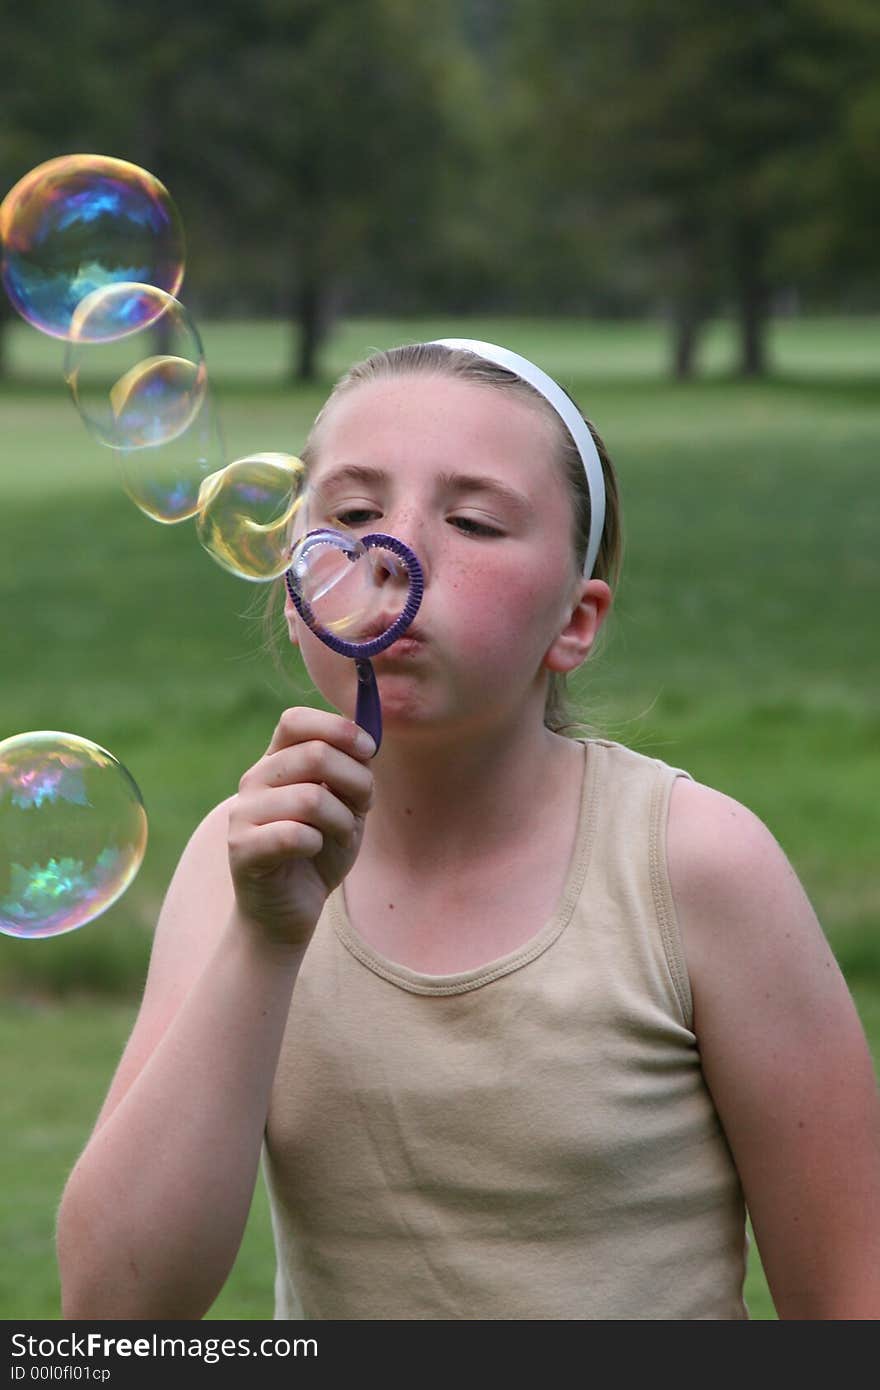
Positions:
{"x": 350, "y": 590}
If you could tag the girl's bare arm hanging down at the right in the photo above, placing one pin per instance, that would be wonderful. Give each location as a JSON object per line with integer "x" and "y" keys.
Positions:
{"x": 785, "y": 1057}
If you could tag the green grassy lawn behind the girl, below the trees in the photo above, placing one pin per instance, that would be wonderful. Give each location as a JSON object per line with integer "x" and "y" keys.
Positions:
{"x": 743, "y": 647}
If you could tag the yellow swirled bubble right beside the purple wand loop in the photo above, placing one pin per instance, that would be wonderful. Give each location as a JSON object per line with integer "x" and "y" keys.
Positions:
{"x": 247, "y": 515}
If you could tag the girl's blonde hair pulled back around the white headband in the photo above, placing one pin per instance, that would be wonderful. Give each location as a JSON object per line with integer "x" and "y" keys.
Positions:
{"x": 466, "y": 366}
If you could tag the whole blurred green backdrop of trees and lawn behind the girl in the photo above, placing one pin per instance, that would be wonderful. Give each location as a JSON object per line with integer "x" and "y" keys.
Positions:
{"x": 672, "y": 213}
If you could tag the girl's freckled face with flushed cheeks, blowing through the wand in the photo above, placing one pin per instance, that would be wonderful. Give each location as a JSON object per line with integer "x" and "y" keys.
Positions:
{"x": 466, "y": 476}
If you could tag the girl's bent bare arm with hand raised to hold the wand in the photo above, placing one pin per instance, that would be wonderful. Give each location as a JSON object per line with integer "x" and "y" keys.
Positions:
{"x": 155, "y": 1210}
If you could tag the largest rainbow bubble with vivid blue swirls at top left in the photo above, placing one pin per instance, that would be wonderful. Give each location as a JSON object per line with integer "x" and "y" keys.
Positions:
{"x": 80, "y": 223}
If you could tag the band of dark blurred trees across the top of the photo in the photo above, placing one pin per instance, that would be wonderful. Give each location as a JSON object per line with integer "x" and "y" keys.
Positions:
{"x": 596, "y": 155}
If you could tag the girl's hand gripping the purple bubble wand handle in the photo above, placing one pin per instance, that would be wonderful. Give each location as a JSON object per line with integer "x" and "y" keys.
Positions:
{"x": 297, "y": 824}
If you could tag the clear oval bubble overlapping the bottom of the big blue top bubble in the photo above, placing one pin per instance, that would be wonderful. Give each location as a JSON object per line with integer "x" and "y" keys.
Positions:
{"x": 136, "y": 366}
